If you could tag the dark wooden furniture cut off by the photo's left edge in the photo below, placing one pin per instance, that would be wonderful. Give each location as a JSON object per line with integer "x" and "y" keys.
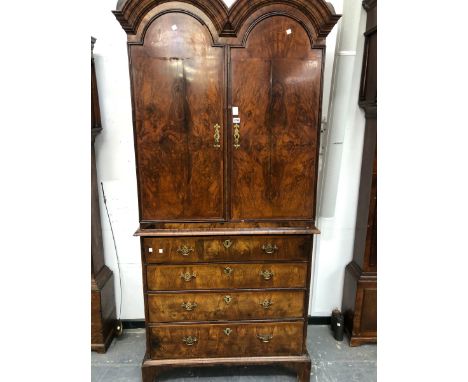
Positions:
{"x": 103, "y": 312}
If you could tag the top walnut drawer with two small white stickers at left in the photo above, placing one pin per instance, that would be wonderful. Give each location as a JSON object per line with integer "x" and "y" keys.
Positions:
{"x": 225, "y": 248}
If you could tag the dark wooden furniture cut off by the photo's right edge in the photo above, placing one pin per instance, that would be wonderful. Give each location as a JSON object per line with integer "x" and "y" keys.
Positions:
{"x": 360, "y": 285}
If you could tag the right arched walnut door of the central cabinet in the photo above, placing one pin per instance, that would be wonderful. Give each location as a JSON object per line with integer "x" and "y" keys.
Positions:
{"x": 276, "y": 83}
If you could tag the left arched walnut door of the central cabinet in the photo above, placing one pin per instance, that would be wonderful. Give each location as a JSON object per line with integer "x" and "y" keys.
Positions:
{"x": 178, "y": 90}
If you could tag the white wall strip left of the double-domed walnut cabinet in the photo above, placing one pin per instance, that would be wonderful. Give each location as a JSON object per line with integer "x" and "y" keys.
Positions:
{"x": 115, "y": 158}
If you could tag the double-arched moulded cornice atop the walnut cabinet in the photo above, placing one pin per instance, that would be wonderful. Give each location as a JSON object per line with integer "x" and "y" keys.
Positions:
{"x": 228, "y": 22}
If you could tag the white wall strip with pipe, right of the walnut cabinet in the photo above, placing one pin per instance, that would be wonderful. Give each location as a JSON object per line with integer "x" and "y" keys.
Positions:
{"x": 340, "y": 170}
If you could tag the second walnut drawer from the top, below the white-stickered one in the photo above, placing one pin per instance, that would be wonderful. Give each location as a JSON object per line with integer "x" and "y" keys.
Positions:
{"x": 222, "y": 276}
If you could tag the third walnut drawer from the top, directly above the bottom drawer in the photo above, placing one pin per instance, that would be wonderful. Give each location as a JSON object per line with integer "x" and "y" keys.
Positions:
{"x": 215, "y": 306}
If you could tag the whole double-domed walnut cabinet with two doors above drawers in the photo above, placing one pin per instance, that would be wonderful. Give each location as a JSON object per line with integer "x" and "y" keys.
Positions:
{"x": 226, "y": 111}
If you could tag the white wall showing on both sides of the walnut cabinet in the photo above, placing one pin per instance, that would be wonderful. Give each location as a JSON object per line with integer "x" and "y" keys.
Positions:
{"x": 340, "y": 159}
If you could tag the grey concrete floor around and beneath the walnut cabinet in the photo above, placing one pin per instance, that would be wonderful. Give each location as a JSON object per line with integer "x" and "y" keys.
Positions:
{"x": 332, "y": 361}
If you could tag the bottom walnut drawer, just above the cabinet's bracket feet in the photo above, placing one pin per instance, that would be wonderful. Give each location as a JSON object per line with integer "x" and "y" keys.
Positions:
{"x": 226, "y": 340}
